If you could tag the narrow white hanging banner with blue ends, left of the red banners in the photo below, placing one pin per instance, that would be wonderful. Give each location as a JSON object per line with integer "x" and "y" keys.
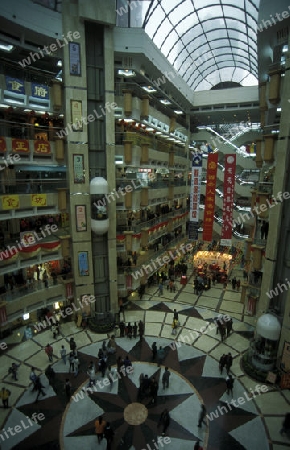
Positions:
{"x": 195, "y": 197}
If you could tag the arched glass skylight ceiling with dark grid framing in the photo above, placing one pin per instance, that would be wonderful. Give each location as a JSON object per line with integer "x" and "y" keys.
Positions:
{"x": 207, "y": 41}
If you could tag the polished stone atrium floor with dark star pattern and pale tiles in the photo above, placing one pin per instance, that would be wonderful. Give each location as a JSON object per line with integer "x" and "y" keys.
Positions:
{"x": 192, "y": 357}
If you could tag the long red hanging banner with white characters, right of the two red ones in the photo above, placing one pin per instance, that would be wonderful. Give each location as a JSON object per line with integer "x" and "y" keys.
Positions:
{"x": 228, "y": 203}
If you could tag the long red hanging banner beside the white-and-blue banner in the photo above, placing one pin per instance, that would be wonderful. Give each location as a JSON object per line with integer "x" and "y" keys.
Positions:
{"x": 208, "y": 218}
